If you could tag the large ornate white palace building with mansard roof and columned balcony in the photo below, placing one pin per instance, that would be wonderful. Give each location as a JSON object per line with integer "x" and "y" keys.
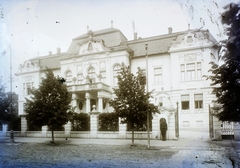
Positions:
{"x": 176, "y": 63}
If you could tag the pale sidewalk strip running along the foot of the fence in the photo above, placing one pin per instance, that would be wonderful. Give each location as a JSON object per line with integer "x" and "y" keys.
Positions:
{"x": 173, "y": 144}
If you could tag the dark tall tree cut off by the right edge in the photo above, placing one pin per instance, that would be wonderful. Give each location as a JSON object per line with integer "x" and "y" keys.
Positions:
{"x": 226, "y": 77}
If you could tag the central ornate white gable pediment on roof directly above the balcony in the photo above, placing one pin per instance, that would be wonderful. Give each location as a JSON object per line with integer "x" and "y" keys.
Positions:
{"x": 91, "y": 45}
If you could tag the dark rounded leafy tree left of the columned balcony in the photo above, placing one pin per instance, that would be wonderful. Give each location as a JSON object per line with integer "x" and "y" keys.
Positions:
{"x": 49, "y": 104}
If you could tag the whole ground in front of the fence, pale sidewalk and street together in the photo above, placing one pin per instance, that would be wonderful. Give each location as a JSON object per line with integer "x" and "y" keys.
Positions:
{"x": 32, "y": 152}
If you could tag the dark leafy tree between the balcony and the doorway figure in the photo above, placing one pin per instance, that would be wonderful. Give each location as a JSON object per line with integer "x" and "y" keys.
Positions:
{"x": 132, "y": 102}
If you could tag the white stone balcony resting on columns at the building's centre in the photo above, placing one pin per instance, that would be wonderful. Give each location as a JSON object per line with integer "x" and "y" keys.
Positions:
{"x": 88, "y": 87}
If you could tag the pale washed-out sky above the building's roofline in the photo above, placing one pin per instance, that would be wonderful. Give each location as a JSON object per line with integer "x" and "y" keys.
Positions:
{"x": 31, "y": 28}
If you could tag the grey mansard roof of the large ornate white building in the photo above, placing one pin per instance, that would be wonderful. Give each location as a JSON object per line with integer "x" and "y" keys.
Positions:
{"x": 113, "y": 38}
